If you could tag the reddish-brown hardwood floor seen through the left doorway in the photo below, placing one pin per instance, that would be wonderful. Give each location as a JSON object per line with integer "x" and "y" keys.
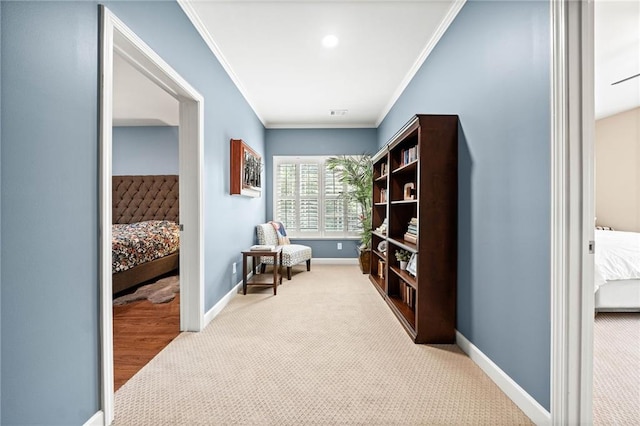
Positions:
{"x": 140, "y": 331}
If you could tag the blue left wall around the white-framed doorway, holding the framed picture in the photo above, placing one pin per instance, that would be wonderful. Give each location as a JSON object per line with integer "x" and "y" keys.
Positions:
{"x": 49, "y": 194}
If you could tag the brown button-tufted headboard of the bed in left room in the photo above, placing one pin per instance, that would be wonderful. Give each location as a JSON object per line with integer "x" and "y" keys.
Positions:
{"x": 140, "y": 198}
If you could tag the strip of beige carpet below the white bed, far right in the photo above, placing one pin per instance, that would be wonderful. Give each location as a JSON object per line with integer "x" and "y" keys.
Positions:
{"x": 616, "y": 369}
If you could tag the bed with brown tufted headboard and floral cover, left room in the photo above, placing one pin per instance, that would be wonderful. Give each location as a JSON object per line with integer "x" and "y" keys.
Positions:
{"x": 145, "y": 229}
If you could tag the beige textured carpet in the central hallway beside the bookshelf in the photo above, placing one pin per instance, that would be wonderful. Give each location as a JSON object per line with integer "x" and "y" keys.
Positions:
{"x": 325, "y": 350}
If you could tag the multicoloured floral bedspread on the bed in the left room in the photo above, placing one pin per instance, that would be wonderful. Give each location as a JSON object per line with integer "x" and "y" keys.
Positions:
{"x": 137, "y": 243}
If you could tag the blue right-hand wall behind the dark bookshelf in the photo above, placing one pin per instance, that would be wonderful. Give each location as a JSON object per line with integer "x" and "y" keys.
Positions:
{"x": 492, "y": 69}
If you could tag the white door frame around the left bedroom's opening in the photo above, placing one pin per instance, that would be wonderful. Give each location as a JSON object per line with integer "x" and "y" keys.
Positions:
{"x": 117, "y": 37}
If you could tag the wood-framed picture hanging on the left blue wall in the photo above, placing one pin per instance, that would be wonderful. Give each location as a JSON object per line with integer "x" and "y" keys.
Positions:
{"x": 246, "y": 170}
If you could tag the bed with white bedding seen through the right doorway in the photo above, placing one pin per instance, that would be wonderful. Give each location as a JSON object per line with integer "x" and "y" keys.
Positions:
{"x": 617, "y": 271}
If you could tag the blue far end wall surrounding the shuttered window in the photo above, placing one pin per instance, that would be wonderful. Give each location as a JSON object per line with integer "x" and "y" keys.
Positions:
{"x": 317, "y": 142}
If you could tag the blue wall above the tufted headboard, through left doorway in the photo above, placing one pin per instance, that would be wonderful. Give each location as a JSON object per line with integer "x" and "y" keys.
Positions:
{"x": 145, "y": 150}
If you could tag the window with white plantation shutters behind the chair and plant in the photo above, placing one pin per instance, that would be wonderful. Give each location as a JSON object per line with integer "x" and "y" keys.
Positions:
{"x": 307, "y": 199}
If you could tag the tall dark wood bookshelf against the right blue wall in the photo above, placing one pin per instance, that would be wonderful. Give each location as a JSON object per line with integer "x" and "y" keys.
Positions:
{"x": 422, "y": 184}
